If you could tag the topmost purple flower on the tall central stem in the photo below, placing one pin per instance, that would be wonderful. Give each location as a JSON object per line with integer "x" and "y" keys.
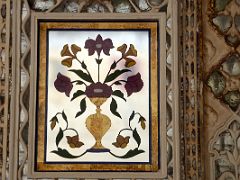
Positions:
{"x": 98, "y": 45}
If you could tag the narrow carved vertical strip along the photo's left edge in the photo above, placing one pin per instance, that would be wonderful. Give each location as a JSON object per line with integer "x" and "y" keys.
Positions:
{"x": 4, "y": 85}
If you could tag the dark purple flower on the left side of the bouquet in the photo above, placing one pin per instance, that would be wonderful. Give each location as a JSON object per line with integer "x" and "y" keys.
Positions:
{"x": 63, "y": 84}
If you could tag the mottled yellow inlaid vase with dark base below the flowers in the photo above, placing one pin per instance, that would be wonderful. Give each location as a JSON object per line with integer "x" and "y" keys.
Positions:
{"x": 98, "y": 124}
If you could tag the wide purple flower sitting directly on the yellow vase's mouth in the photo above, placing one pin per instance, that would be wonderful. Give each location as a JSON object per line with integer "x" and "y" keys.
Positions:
{"x": 98, "y": 90}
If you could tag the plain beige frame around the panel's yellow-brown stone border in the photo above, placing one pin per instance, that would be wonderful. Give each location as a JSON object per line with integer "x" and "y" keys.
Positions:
{"x": 160, "y": 17}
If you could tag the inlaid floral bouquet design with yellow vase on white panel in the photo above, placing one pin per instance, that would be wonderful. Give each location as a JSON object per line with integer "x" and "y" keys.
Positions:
{"x": 98, "y": 92}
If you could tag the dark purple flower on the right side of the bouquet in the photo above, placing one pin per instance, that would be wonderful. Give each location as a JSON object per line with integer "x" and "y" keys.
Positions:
{"x": 134, "y": 84}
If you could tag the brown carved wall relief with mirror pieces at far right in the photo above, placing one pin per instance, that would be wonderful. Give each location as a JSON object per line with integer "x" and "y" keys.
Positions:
{"x": 221, "y": 78}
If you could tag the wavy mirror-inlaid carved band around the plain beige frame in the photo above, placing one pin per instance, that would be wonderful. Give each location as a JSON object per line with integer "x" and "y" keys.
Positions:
{"x": 20, "y": 109}
